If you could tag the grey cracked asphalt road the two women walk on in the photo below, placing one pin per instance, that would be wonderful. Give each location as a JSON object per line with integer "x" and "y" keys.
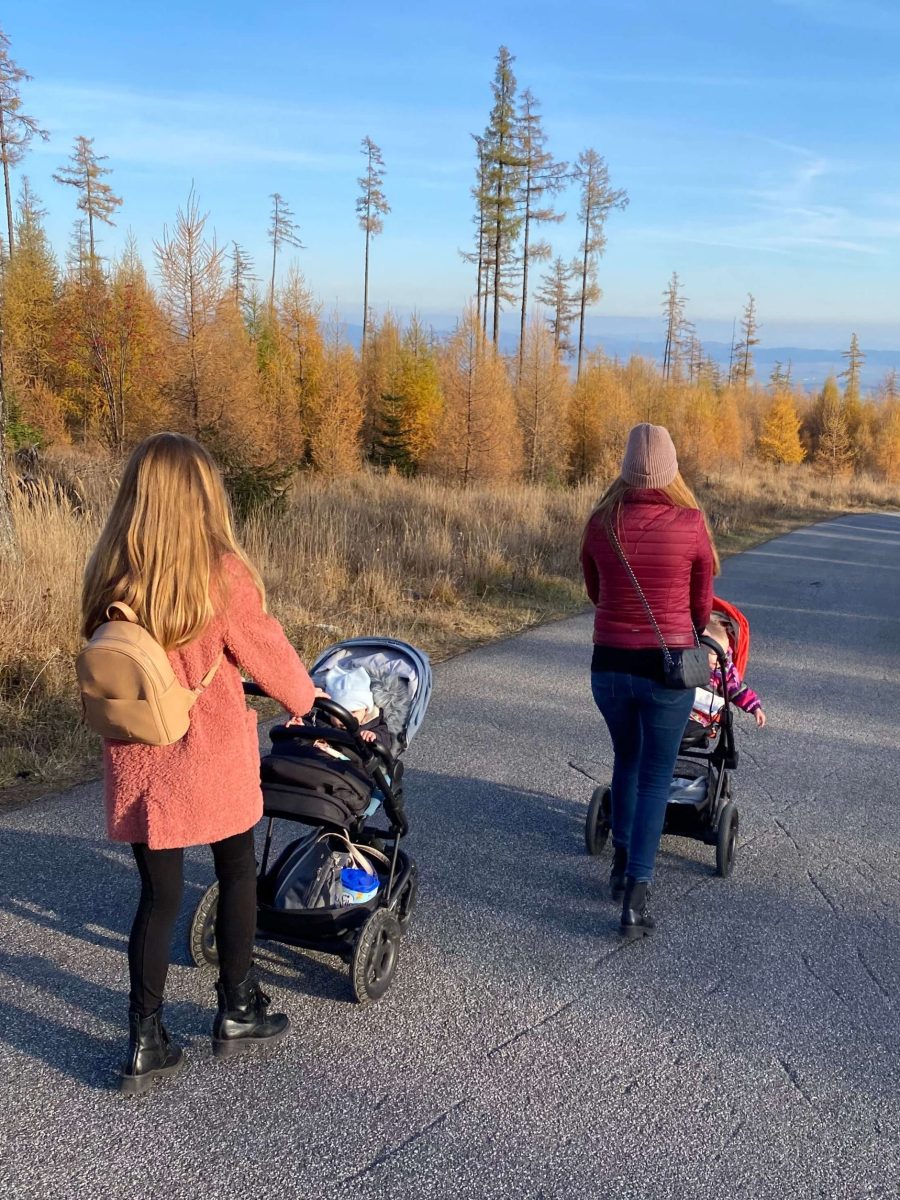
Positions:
{"x": 751, "y": 1049}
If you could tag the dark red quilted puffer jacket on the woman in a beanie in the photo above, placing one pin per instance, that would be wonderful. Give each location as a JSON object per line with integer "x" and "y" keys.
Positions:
{"x": 669, "y": 550}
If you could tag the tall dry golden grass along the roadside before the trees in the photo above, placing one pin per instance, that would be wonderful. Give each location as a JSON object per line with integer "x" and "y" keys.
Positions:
{"x": 443, "y": 568}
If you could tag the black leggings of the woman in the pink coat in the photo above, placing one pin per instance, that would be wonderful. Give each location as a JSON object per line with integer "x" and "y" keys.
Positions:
{"x": 163, "y": 884}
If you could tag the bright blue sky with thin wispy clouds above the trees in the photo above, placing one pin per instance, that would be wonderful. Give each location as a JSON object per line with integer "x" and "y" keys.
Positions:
{"x": 758, "y": 141}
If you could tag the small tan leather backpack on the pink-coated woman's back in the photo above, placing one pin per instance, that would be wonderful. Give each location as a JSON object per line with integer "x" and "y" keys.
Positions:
{"x": 129, "y": 689}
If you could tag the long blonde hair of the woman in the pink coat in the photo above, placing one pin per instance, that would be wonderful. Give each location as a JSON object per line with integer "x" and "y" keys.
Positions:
{"x": 164, "y": 542}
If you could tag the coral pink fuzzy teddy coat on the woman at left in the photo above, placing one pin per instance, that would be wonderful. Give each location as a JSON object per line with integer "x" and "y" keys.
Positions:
{"x": 206, "y": 788}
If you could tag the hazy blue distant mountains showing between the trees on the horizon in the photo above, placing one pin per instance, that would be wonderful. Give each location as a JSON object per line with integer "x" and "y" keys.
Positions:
{"x": 809, "y": 368}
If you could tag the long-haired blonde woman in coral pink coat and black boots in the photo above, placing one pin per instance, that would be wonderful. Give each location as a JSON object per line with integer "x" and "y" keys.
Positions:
{"x": 169, "y": 551}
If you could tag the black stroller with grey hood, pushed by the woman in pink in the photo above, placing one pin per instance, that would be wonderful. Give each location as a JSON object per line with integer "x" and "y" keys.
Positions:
{"x": 299, "y": 901}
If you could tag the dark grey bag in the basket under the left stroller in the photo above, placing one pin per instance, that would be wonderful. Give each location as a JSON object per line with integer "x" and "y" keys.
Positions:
{"x": 310, "y": 877}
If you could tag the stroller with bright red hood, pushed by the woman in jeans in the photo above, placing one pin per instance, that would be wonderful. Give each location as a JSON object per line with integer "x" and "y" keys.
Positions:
{"x": 700, "y": 801}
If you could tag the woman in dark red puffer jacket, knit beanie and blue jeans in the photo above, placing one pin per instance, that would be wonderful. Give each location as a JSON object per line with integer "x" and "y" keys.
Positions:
{"x": 667, "y": 541}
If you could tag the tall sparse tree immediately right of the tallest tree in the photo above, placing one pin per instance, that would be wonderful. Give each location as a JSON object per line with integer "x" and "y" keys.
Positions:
{"x": 543, "y": 178}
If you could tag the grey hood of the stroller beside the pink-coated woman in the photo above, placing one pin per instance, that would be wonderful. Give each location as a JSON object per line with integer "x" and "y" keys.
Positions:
{"x": 400, "y": 675}
